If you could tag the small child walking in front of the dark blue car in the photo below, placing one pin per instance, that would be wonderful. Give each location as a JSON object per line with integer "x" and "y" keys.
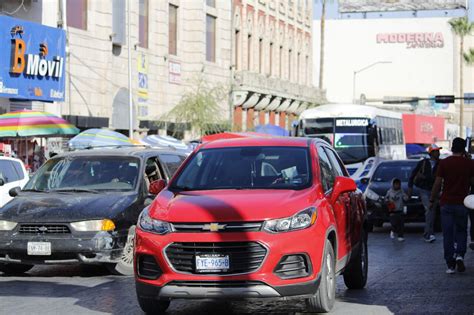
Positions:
{"x": 394, "y": 199}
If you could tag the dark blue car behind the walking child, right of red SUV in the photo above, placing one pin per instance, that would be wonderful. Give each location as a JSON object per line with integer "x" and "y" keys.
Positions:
{"x": 380, "y": 183}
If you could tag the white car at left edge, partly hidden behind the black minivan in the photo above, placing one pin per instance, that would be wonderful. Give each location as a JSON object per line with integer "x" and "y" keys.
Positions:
{"x": 12, "y": 174}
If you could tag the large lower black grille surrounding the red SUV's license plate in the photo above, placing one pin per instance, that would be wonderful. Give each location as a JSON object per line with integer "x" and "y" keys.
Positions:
{"x": 244, "y": 257}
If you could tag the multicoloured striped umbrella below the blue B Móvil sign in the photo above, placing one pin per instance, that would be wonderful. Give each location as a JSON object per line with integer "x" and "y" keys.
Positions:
{"x": 27, "y": 123}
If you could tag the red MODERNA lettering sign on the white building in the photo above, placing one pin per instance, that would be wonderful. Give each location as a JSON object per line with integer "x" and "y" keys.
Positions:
{"x": 413, "y": 40}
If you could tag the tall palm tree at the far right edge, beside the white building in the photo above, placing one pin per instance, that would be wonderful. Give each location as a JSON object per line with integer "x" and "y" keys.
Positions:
{"x": 461, "y": 27}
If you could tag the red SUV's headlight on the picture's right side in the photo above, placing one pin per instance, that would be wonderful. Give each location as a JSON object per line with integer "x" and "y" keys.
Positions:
{"x": 299, "y": 221}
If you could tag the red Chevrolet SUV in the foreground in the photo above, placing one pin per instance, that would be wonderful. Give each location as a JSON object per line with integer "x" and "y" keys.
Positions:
{"x": 253, "y": 218}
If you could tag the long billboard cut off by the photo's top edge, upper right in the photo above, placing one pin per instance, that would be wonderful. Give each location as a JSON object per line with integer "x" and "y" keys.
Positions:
{"x": 354, "y": 6}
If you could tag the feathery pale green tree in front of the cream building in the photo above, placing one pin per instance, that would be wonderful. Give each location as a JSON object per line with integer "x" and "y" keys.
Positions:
{"x": 199, "y": 107}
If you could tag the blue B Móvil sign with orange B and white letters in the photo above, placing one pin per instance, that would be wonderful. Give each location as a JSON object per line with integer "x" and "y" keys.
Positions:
{"x": 32, "y": 60}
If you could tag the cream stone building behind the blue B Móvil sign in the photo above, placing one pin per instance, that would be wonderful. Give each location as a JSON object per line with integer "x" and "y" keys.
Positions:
{"x": 173, "y": 44}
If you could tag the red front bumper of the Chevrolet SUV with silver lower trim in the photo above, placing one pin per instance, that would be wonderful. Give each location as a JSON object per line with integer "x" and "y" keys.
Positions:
{"x": 262, "y": 282}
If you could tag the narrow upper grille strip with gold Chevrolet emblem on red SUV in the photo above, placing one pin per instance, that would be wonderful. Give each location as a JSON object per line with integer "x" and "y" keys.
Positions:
{"x": 222, "y": 227}
